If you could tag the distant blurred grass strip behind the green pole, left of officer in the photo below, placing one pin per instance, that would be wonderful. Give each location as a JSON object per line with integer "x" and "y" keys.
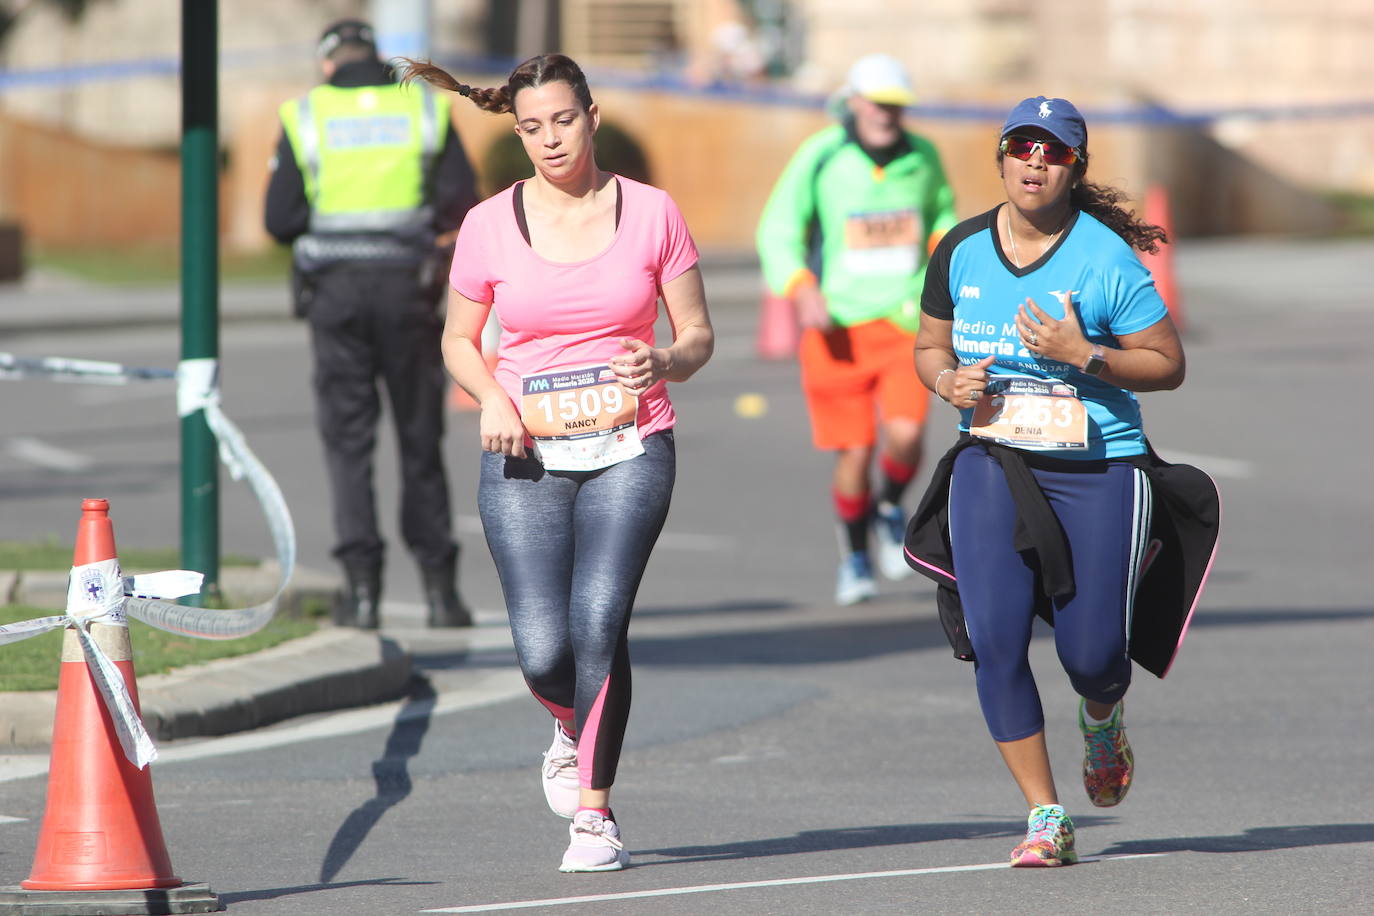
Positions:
{"x": 156, "y": 266}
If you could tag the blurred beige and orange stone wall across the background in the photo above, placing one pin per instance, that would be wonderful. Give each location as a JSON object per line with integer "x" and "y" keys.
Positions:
{"x": 1261, "y": 167}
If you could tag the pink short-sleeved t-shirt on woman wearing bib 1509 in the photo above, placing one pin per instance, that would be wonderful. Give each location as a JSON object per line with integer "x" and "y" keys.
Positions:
{"x": 563, "y": 317}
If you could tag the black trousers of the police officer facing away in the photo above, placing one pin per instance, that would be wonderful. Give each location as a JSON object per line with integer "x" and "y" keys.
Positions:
{"x": 373, "y": 325}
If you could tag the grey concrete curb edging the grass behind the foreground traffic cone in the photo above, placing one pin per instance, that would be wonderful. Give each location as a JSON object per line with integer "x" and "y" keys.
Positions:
{"x": 330, "y": 669}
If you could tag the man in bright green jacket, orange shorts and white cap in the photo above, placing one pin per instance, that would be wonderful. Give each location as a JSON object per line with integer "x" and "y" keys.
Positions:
{"x": 846, "y": 236}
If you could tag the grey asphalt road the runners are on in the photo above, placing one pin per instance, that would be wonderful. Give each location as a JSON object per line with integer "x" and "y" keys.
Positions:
{"x": 787, "y": 756}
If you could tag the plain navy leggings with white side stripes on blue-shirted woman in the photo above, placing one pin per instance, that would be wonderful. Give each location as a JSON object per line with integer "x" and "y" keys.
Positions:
{"x": 1105, "y": 514}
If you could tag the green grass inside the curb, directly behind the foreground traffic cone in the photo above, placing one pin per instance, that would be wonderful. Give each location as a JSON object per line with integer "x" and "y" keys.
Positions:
{"x": 34, "y": 664}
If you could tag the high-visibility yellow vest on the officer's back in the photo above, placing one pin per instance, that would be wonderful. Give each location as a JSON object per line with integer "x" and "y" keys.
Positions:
{"x": 366, "y": 156}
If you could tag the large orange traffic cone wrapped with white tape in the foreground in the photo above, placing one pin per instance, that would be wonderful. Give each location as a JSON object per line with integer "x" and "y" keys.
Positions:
{"x": 101, "y": 830}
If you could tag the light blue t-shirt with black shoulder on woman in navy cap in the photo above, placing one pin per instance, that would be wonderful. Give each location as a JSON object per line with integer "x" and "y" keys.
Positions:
{"x": 973, "y": 284}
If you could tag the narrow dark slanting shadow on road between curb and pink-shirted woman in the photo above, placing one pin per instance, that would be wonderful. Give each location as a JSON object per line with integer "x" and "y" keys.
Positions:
{"x": 391, "y": 775}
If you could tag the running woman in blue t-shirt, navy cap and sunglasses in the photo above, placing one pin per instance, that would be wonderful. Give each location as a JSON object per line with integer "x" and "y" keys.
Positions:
{"x": 1039, "y": 325}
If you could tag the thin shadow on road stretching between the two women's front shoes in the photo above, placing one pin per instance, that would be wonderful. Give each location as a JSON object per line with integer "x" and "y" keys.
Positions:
{"x": 824, "y": 841}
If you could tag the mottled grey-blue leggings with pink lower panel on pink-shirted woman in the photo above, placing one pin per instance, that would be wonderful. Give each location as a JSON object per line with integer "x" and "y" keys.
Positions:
{"x": 571, "y": 549}
